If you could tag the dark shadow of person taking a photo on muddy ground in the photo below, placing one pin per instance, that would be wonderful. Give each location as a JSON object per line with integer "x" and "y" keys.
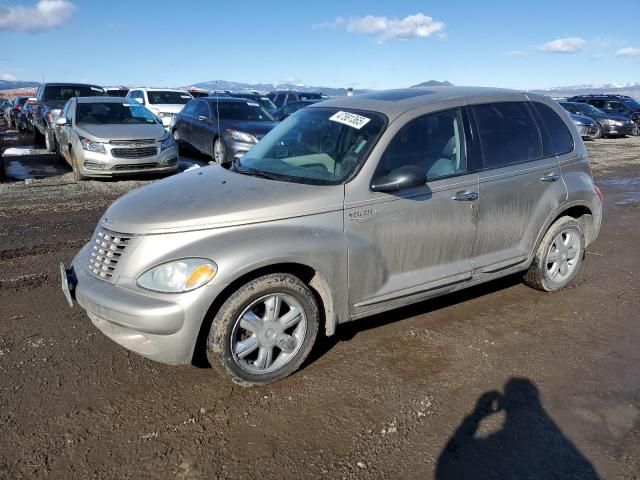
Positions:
{"x": 528, "y": 446}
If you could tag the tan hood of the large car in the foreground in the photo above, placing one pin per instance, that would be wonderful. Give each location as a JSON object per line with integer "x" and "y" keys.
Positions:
{"x": 213, "y": 197}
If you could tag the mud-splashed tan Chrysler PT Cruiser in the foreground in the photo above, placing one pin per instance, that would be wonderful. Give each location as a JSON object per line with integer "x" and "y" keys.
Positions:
{"x": 348, "y": 208}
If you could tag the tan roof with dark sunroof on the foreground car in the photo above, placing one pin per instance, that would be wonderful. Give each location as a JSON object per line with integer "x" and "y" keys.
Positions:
{"x": 394, "y": 103}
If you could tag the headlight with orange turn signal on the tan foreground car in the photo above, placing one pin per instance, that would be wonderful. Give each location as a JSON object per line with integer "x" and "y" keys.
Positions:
{"x": 178, "y": 276}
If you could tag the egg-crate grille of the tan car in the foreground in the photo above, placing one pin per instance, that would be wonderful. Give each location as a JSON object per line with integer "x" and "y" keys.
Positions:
{"x": 107, "y": 253}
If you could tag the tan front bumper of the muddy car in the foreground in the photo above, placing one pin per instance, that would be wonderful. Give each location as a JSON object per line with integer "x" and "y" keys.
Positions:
{"x": 163, "y": 328}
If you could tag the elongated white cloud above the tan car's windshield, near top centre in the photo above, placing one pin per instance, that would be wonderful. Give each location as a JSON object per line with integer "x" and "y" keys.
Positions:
{"x": 385, "y": 28}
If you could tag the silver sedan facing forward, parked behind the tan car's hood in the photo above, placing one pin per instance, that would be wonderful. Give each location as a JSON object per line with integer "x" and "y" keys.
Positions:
{"x": 104, "y": 136}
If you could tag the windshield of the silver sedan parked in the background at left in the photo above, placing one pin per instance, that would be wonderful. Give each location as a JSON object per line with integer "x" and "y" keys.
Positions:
{"x": 114, "y": 113}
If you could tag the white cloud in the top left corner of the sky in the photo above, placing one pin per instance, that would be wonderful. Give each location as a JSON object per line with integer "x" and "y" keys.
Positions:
{"x": 45, "y": 15}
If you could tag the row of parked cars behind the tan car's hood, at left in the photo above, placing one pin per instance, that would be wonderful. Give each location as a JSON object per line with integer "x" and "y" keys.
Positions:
{"x": 102, "y": 131}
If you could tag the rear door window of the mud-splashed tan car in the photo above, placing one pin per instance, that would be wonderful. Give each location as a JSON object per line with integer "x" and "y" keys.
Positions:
{"x": 508, "y": 134}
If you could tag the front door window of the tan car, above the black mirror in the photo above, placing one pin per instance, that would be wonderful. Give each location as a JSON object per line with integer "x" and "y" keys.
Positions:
{"x": 433, "y": 143}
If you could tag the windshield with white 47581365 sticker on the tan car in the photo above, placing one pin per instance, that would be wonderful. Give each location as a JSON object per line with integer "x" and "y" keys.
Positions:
{"x": 316, "y": 145}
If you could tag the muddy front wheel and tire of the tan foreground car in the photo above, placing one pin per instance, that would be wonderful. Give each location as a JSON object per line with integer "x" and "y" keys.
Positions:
{"x": 235, "y": 348}
